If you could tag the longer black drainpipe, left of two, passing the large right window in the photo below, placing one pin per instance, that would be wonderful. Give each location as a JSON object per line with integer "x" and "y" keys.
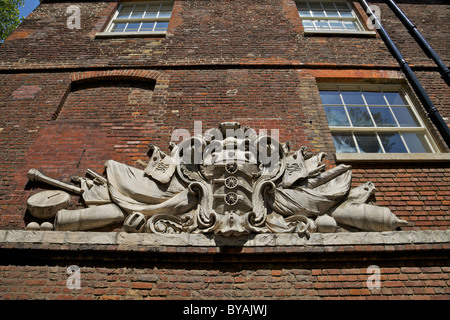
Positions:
{"x": 432, "y": 112}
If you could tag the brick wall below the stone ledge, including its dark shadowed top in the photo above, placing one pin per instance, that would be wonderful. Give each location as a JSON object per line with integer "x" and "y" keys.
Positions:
{"x": 420, "y": 272}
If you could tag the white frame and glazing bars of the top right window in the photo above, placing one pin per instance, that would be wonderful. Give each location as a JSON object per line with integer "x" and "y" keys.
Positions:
{"x": 361, "y": 29}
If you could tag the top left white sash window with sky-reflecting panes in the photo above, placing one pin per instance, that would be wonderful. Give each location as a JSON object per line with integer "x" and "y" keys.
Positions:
{"x": 140, "y": 18}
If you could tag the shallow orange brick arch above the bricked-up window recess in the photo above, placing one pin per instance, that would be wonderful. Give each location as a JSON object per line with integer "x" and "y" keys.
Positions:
{"x": 136, "y": 74}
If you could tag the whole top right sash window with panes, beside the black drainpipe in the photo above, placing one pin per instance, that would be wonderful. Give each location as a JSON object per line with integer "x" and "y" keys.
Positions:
{"x": 335, "y": 16}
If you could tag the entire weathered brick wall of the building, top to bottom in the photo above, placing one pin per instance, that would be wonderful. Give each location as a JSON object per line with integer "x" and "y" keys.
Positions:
{"x": 71, "y": 100}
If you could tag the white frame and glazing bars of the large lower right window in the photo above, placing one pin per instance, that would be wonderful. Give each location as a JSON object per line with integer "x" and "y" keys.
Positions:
{"x": 376, "y": 129}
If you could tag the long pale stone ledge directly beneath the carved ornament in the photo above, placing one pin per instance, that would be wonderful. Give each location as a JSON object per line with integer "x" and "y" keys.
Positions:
{"x": 134, "y": 241}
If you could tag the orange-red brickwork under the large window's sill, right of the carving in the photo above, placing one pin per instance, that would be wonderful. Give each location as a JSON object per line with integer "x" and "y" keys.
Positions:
{"x": 418, "y": 194}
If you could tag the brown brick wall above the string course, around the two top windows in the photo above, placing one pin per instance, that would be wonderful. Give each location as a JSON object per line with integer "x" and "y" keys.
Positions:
{"x": 211, "y": 32}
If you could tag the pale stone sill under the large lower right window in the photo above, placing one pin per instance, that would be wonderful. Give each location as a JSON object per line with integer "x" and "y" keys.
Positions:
{"x": 392, "y": 157}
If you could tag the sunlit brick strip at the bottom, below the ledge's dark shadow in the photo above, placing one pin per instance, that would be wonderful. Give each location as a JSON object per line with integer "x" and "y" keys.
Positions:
{"x": 287, "y": 282}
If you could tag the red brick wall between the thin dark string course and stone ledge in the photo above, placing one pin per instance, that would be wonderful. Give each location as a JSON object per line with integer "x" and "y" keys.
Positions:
{"x": 65, "y": 129}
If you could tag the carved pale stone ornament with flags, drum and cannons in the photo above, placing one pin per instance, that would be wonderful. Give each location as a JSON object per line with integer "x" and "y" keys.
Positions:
{"x": 230, "y": 181}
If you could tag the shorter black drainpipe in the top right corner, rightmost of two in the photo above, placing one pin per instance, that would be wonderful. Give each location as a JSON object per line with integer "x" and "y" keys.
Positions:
{"x": 412, "y": 29}
